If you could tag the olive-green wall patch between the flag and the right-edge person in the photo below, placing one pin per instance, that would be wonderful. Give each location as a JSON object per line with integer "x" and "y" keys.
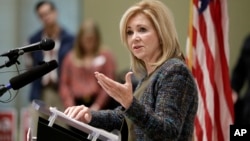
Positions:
{"x": 239, "y": 27}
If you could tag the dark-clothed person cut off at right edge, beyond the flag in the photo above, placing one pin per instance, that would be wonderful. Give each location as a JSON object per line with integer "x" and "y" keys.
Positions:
{"x": 241, "y": 76}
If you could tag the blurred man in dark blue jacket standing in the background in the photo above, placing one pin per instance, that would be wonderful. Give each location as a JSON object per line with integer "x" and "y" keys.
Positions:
{"x": 46, "y": 88}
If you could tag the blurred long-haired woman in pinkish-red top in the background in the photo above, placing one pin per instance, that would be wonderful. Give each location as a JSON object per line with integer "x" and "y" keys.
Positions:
{"x": 78, "y": 84}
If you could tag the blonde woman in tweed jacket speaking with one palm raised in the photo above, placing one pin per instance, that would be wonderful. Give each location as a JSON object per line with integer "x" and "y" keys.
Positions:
{"x": 164, "y": 104}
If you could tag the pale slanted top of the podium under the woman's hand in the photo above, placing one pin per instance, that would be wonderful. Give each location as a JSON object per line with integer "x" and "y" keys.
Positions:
{"x": 94, "y": 133}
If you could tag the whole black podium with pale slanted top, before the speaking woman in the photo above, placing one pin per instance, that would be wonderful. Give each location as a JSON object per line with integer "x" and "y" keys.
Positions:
{"x": 48, "y": 130}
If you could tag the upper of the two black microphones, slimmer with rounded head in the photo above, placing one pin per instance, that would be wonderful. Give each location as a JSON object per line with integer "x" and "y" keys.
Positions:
{"x": 44, "y": 44}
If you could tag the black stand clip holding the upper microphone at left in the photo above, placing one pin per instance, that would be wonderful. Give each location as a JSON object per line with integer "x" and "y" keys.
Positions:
{"x": 13, "y": 56}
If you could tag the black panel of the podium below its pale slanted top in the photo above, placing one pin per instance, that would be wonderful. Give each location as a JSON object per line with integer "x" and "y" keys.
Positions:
{"x": 57, "y": 133}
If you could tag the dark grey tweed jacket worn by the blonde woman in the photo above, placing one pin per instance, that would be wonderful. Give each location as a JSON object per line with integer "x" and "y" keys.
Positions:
{"x": 166, "y": 110}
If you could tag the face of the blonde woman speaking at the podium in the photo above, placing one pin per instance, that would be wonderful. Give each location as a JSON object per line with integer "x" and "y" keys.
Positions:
{"x": 142, "y": 39}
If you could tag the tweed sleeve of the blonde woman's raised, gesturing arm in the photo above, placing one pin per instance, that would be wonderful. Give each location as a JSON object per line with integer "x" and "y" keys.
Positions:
{"x": 175, "y": 92}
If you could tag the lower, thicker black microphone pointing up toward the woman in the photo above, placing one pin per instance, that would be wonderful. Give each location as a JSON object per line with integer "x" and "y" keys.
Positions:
{"x": 29, "y": 76}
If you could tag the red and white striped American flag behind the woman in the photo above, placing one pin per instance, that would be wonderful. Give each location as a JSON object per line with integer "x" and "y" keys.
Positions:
{"x": 208, "y": 59}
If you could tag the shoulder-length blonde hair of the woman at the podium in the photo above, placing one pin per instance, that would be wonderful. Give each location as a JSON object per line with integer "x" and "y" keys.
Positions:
{"x": 163, "y": 22}
